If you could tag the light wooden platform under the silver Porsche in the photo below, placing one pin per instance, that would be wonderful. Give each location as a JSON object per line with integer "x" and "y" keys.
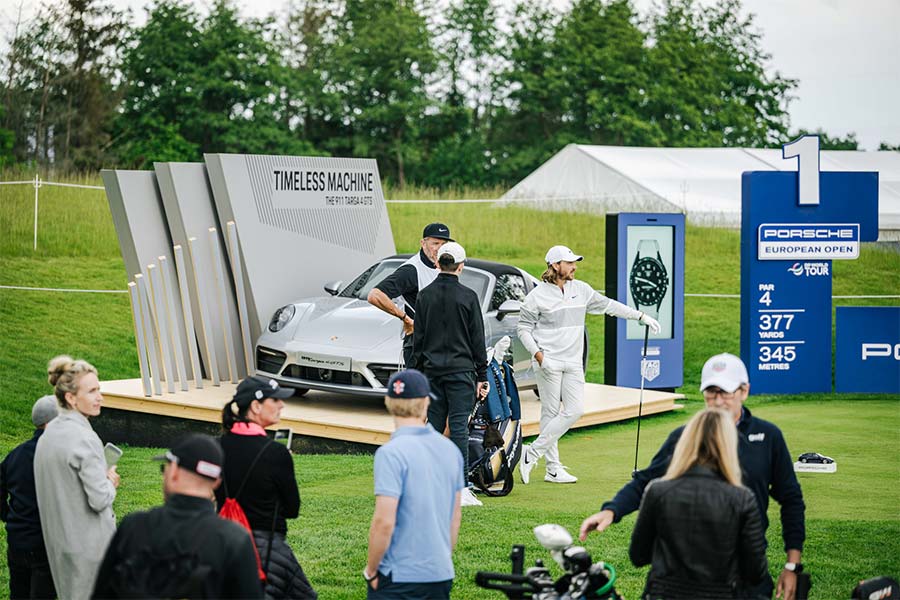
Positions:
{"x": 362, "y": 420}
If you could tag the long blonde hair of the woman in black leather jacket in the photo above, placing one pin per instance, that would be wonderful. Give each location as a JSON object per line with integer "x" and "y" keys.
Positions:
{"x": 709, "y": 439}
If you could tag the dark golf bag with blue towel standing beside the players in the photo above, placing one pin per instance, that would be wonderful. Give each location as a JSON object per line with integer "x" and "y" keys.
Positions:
{"x": 495, "y": 433}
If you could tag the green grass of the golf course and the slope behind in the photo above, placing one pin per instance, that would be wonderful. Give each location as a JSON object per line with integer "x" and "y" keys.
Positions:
{"x": 853, "y": 516}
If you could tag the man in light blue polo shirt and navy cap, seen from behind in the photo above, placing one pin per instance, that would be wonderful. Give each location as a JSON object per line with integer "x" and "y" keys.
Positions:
{"x": 418, "y": 480}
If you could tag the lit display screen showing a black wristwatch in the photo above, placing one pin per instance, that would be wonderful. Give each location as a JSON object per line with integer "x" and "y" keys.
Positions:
{"x": 650, "y": 256}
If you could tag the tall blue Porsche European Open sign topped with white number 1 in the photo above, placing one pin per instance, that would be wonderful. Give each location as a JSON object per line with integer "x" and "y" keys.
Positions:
{"x": 793, "y": 224}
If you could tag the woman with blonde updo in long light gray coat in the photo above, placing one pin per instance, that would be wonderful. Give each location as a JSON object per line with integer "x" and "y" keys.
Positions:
{"x": 75, "y": 489}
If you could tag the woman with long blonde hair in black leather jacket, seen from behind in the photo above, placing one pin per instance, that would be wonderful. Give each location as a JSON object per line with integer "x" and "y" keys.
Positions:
{"x": 698, "y": 527}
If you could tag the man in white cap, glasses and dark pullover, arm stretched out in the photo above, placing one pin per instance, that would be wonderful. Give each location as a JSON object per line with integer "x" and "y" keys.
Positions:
{"x": 766, "y": 464}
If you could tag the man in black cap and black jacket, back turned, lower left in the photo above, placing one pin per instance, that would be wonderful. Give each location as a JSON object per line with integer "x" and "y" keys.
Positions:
{"x": 182, "y": 544}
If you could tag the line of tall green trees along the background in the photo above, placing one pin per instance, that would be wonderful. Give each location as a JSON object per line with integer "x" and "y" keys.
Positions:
{"x": 462, "y": 94}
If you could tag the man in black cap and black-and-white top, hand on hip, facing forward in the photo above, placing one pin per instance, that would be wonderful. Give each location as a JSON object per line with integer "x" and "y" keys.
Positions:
{"x": 410, "y": 278}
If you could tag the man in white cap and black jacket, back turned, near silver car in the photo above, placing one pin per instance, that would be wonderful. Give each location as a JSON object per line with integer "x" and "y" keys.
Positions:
{"x": 448, "y": 346}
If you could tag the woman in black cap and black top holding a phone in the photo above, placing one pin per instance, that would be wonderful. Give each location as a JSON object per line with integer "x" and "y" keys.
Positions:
{"x": 260, "y": 476}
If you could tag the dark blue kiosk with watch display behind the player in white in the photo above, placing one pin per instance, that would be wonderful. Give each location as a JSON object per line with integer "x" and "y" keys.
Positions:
{"x": 645, "y": 270}
